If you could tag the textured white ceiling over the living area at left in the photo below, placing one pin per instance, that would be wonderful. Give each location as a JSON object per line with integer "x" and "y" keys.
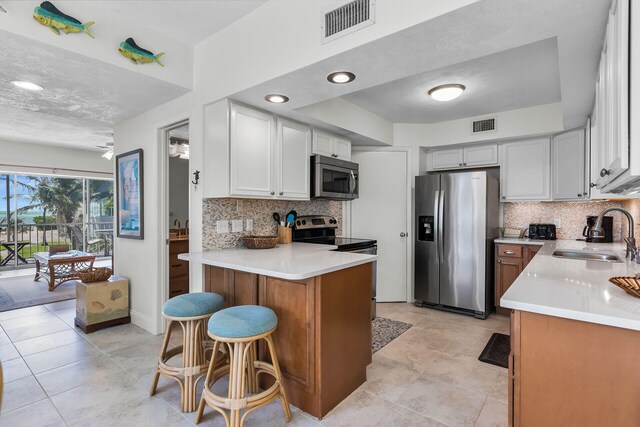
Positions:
{"x": 82, "y": 98}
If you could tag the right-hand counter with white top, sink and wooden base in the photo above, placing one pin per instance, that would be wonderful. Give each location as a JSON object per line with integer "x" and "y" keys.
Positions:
{"x": 575, "y": 340}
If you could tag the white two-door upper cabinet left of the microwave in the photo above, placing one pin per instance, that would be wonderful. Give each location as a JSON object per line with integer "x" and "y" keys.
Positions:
{"x": 250, "y": 153}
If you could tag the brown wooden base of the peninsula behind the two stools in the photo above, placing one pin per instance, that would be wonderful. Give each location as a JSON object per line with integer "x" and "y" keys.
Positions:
{"x": 323, "y": 339}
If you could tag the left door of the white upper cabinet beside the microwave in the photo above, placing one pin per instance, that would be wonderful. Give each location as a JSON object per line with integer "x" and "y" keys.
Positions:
{"x": 252, "y": 140}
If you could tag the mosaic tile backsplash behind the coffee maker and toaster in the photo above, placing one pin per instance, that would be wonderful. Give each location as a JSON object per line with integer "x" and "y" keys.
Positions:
{"x": 571, "y": 214}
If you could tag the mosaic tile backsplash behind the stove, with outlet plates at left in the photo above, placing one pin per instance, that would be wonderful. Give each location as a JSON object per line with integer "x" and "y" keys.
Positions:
{"x": 261, "y": 212}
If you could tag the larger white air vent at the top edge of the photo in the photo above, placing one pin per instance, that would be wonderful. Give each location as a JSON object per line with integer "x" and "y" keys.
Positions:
{"x": 348, "y": 18}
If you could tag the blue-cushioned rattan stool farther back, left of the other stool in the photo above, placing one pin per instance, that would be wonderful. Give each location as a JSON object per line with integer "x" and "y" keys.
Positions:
{"x": 191, "y": 311}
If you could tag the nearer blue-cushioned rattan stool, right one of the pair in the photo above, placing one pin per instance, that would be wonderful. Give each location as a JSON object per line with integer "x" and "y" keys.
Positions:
{"x": 239, "y": 329}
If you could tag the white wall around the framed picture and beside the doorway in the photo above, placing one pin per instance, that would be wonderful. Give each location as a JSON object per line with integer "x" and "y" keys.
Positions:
{"x": 138, "y": 260}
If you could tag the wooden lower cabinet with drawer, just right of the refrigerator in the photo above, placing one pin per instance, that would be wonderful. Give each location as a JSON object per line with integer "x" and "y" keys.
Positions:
{"x": 510, "y": 261}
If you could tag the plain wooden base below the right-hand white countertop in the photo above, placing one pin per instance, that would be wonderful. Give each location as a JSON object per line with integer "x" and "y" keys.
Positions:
{"x": 571, "y": 373}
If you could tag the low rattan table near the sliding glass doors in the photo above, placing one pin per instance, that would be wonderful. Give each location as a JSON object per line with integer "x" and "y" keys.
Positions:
{"x": 62, "y": 267}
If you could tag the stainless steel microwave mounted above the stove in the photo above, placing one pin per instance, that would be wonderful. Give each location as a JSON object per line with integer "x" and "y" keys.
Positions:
{"x": 333, "y": 179}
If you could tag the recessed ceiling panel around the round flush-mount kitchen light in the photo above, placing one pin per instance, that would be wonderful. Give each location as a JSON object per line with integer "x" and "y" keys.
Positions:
{"x": 516, "y": 78}
